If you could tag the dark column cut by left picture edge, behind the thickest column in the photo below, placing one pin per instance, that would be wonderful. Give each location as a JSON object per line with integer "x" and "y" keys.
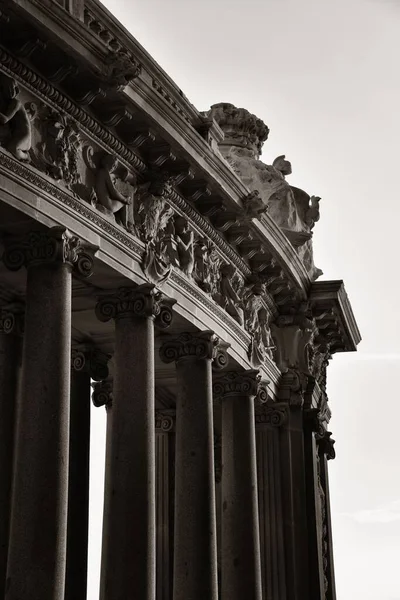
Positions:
{"x": 10, "y": 328}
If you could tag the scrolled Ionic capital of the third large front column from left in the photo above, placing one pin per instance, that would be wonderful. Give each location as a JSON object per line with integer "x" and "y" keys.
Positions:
{"x": 196, "y": 346}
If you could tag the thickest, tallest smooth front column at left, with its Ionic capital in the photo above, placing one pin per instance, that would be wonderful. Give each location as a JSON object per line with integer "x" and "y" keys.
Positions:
{"x": 37, "y": 547}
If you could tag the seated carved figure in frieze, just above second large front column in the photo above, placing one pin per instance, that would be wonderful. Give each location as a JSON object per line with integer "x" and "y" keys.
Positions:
{"x": 109, "y": 199}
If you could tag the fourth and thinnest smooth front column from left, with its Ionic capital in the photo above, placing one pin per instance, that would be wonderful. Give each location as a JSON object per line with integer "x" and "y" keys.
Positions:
{"x": 240, "y": 535}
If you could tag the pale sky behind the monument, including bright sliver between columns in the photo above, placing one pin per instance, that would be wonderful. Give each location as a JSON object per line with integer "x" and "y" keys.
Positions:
{"x": 325, "y": 77}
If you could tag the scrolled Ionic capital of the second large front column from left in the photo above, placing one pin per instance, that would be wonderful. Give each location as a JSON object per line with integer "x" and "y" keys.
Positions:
{"x": 143, "y": 301}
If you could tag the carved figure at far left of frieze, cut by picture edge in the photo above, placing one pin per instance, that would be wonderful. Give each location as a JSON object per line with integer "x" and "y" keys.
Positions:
{"x": 15, "y": 120}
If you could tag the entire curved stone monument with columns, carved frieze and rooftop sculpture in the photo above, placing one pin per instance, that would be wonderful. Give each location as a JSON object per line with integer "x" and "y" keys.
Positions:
{"x": 152, "y": 262}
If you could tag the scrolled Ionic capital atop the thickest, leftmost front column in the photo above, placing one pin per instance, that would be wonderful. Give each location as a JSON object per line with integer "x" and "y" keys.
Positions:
{"x": 56, "y": 245}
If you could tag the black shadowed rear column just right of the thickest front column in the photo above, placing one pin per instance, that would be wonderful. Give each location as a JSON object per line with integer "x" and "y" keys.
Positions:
{"x": 87, "y": 363}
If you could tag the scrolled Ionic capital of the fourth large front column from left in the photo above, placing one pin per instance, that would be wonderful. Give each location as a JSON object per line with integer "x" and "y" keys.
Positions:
{"x": 241, "y": 383}
